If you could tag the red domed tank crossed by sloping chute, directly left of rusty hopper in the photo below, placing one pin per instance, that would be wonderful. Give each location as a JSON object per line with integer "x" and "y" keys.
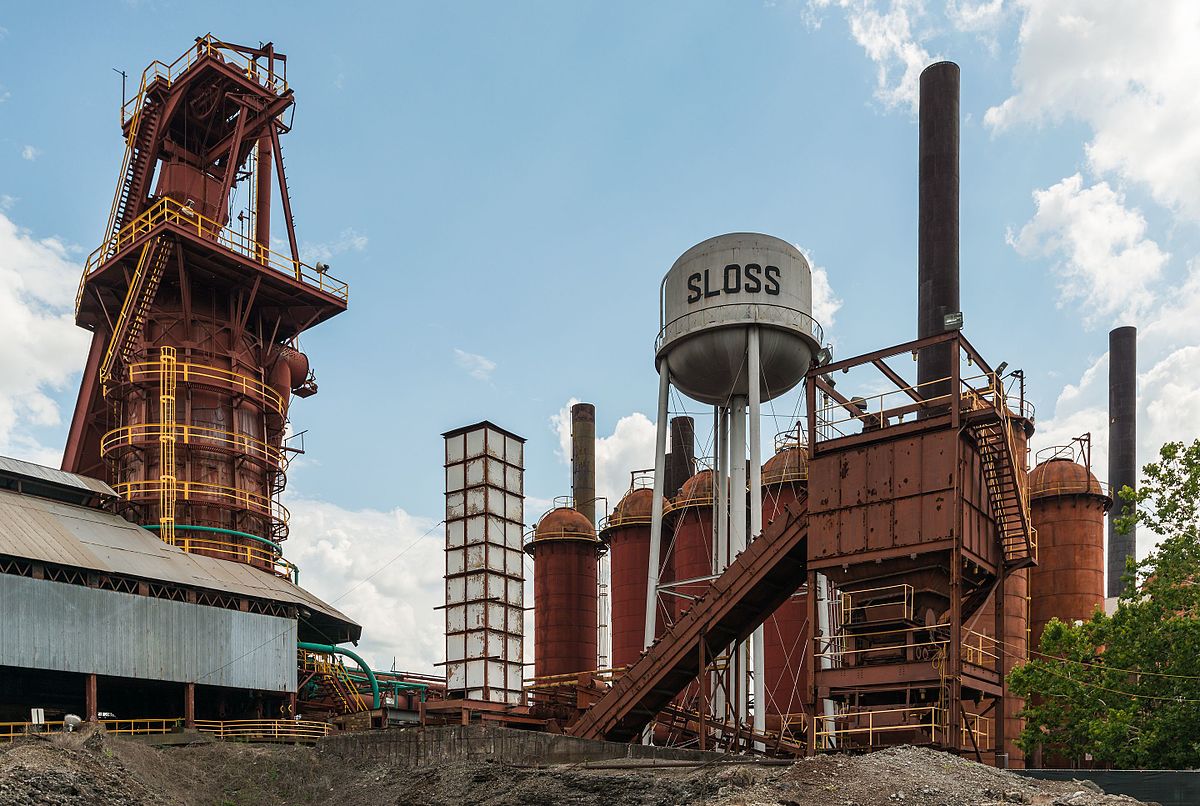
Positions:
{"x": 784, "y": 482}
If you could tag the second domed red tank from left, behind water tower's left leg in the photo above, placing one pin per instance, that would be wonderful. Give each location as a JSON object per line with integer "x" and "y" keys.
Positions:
{"x": 627, "y": 533}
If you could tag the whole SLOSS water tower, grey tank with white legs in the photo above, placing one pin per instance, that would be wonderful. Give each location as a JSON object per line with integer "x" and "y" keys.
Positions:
{"x": 736, "y": 330}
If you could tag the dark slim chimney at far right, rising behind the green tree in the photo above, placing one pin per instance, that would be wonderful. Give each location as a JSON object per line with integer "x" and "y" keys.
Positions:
{"x": 1123, "y": 444}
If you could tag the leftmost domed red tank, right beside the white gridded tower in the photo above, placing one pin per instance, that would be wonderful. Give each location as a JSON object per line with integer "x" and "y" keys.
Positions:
{"x": 565, "y": 551}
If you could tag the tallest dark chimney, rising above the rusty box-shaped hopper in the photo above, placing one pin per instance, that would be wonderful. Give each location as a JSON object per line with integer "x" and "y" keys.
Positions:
{"x": 938, "y": 222}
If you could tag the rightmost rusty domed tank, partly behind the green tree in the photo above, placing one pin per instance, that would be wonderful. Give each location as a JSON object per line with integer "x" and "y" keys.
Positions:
{"x": 1069, "y": 508}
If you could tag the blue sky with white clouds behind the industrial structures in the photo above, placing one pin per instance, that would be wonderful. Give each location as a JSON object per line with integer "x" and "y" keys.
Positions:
{"x": 503, "y": 185}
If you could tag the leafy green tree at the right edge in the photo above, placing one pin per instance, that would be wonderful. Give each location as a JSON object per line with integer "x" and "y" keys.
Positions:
{"x": 1126, "y": 689}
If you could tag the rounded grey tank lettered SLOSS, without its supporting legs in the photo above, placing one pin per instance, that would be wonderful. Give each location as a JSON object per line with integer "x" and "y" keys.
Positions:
{"x": 709, "y": 298}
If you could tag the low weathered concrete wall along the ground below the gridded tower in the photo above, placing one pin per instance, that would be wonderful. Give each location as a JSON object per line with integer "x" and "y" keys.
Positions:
{"x": 436, "y": 745}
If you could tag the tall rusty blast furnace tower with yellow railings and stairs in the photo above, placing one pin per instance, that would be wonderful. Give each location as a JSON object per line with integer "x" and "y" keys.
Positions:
{"x": 195, "y": 316}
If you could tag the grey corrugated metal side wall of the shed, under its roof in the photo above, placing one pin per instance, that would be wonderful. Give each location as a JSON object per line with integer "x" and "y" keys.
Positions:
{"x": 51, "y": 625}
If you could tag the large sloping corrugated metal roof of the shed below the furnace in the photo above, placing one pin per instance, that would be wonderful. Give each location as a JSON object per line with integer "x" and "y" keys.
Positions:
{"x": 65, "y": 534}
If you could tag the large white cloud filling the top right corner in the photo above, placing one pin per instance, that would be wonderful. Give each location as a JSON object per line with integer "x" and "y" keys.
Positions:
{"x": 1126, "y": 70}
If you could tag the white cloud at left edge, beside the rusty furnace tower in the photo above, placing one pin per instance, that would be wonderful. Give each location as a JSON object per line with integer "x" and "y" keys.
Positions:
{"x": 43, "y": 347}
